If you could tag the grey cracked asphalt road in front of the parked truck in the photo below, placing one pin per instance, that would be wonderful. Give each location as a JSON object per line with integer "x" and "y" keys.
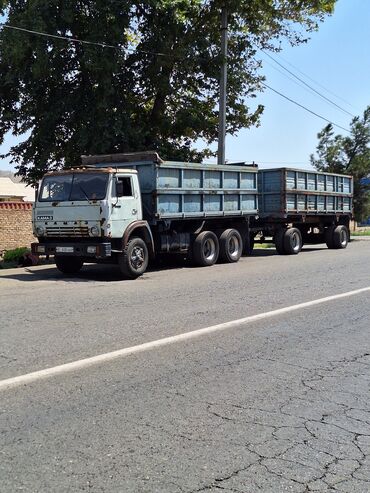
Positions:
{"x": 279, "y": 404}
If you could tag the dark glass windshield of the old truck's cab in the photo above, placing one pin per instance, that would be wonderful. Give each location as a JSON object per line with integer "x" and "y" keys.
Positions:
{"x": 76, "y": 186}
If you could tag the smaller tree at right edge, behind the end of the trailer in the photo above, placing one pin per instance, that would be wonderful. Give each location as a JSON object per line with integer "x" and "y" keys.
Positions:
{"x": 348, "y": 155}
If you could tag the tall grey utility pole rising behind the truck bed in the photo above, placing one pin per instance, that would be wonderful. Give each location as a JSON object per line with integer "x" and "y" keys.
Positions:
{"x": 223, "y": 89}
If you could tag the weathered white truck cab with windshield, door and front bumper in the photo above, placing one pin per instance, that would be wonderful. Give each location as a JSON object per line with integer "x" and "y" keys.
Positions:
{"x": 84, "y": 213}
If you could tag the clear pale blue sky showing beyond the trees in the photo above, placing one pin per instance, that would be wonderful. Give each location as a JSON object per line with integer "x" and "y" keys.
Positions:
{"x": 338, "y": 58}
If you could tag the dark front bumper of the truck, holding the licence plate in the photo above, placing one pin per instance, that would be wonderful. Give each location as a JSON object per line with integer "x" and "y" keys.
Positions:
{"x": 73, "y": 249}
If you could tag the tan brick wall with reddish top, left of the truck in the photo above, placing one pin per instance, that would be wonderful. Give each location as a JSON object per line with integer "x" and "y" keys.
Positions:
{"x": 15, "y": 225}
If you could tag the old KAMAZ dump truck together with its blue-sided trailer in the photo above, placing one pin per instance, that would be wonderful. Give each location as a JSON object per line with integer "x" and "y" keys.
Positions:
{"x": 128, "y": 209}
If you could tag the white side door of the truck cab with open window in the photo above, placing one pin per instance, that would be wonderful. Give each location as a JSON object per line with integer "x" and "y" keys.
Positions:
{"x": 126, "y": 203}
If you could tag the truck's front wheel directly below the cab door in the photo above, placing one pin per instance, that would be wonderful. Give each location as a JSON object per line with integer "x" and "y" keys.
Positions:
{"x": 134, "y": 259}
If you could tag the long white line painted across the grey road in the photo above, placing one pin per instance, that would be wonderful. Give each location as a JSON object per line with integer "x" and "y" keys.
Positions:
{"x": 147, "y": 346}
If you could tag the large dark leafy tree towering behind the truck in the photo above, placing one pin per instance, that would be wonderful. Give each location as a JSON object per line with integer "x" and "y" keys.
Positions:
{"x": 155, "y": 87}
